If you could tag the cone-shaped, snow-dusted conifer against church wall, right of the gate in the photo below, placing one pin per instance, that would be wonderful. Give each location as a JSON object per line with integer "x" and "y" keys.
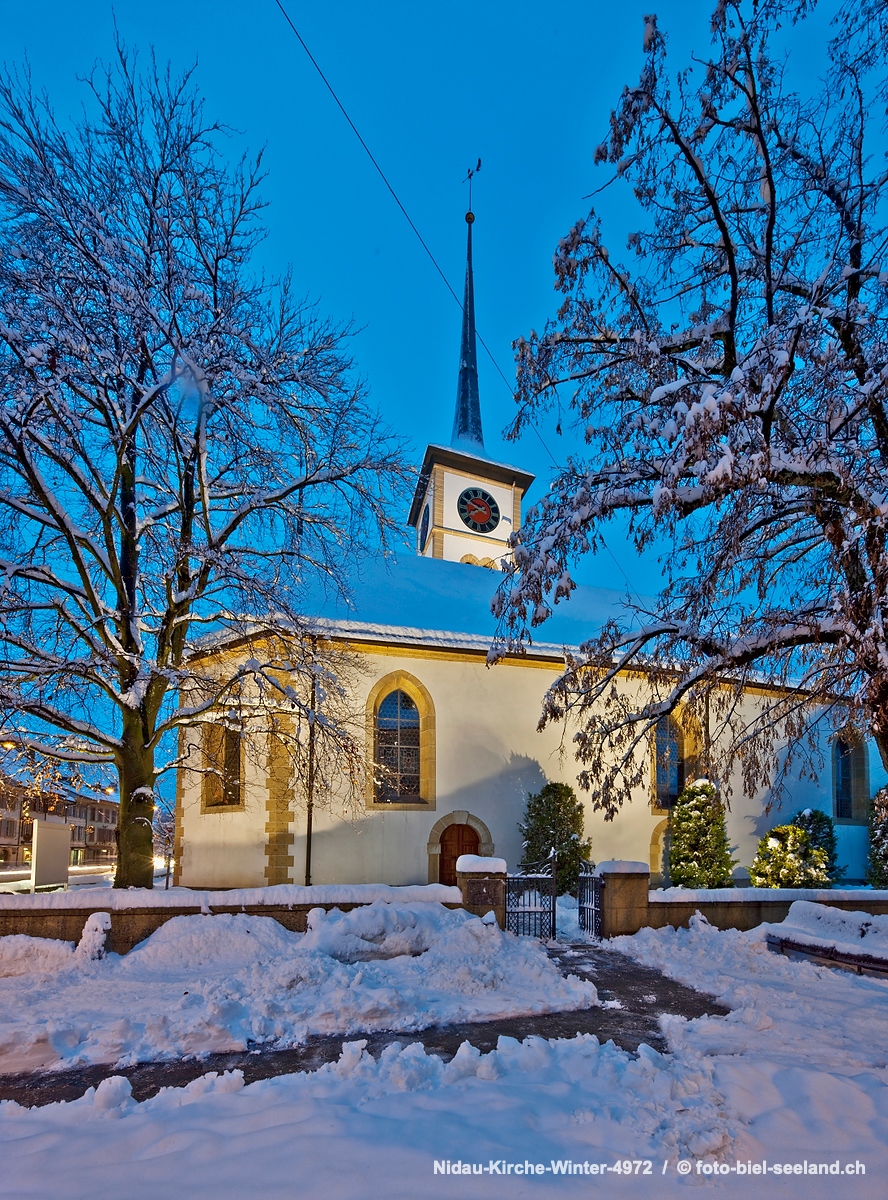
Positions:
{"x": 700, "y": 855}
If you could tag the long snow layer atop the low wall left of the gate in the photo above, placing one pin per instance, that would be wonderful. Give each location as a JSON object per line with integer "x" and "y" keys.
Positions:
{"x": 279, "y": 895}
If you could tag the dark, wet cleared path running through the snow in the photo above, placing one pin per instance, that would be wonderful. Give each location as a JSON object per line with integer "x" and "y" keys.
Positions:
{"x": 634, "y": 998}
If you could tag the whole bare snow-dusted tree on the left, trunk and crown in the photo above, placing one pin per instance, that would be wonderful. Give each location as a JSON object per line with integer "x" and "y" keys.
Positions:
{"x": 182, "y": 442}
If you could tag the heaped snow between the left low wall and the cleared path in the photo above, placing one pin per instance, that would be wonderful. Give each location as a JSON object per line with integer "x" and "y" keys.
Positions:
{"x": 229, "y": 981}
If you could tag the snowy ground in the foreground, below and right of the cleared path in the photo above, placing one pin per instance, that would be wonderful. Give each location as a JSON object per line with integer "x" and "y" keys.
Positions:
{"x": 796, "y": 1075}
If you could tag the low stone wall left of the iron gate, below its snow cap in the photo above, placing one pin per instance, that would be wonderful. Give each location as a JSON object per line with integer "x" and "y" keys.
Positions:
{"x": 134, "y": 926}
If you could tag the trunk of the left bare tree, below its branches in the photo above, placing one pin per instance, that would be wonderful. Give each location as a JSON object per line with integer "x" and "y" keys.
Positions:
{"x": 135, "y": 829}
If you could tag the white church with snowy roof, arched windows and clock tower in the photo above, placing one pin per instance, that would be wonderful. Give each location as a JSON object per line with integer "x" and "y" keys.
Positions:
{"x": 457, "y": 740}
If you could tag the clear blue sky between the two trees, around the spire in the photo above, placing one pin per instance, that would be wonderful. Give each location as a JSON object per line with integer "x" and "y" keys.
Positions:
{"x": 527, "y": 88}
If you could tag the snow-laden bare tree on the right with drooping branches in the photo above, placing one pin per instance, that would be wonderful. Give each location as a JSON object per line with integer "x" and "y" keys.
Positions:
{"x": 733, "y": 389}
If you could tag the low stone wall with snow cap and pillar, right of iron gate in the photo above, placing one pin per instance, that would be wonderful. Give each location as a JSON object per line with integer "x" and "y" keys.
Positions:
{"x": 628, "y": 904}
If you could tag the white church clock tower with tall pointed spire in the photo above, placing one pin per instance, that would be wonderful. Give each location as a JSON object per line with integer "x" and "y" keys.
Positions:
{"x": 466, "y": 507}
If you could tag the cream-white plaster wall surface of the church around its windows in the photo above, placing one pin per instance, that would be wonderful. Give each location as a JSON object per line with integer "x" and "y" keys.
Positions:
{"x": 490, "y": 758}
